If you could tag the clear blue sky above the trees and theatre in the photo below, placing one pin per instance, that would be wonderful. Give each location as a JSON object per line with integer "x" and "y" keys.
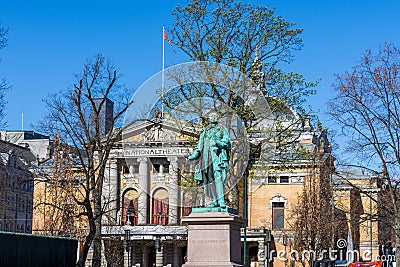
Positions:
{"x": 50, "y": 40}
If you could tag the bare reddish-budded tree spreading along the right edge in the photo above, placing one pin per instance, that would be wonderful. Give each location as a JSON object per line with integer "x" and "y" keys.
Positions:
{"x": 367, "y": 107}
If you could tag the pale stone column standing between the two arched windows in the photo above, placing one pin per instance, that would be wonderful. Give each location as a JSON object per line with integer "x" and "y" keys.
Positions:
{"x": 143, "y": 191}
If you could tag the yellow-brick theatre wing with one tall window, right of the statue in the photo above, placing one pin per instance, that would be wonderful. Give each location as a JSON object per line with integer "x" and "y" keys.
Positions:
{"x": 274, "y": 192}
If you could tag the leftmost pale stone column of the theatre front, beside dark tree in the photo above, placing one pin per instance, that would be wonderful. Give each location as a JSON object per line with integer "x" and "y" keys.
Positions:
{"x": 110, "y": 191}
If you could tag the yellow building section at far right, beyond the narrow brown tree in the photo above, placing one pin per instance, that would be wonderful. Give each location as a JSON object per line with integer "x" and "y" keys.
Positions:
{"x": 356, "y": 197}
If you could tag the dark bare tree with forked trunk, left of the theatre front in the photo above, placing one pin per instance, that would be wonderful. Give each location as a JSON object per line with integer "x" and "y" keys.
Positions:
{"x": 77, "y": 116}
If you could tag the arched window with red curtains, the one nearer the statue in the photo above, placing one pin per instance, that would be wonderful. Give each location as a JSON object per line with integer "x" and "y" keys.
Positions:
{"x": 160, "y": 207}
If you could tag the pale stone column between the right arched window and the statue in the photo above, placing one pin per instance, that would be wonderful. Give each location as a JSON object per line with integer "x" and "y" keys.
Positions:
{"x": 173, "y": 191}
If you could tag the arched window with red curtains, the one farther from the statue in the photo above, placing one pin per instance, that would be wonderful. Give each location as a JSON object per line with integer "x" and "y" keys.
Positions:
{"x": 130, "y": 207}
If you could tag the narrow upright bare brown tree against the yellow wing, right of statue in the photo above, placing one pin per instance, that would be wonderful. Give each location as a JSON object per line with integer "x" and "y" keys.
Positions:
{"x": 313, "y": 222}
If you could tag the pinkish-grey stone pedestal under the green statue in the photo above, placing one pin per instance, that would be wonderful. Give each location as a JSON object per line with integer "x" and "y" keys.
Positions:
{"x": 213, "y": 239}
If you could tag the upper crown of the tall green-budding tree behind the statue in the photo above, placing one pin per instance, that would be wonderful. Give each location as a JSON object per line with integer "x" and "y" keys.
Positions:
{"x": 232, "y": 33}
